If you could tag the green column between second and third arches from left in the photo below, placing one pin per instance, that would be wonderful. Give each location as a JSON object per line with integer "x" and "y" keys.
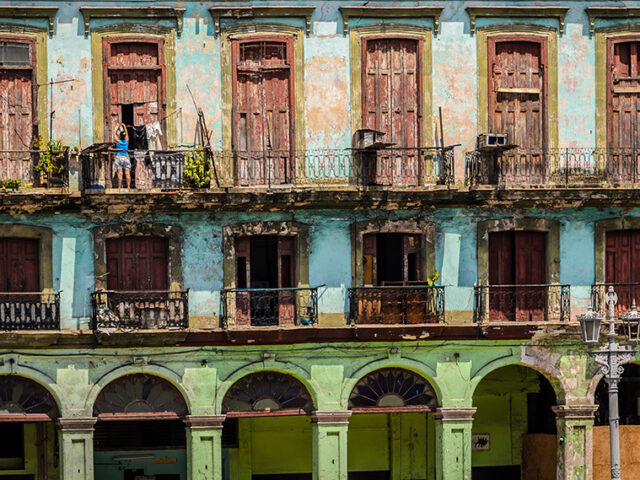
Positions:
{"x": 204, "y": 447}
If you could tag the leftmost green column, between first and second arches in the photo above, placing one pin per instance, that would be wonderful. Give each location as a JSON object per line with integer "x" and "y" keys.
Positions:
{"x": 76, "y": 447}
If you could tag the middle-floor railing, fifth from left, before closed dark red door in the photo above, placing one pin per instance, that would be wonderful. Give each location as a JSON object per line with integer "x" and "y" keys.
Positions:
{"x": 522, "y": 303}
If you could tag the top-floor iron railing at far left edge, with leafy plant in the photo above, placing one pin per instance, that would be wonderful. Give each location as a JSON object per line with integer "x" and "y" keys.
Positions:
{"x": 27, "y": 168}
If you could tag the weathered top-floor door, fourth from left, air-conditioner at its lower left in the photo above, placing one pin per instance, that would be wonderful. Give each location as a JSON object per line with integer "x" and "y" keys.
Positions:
{"x": 391, "y": 91}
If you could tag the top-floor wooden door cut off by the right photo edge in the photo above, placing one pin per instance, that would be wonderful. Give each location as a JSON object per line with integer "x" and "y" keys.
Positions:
{"x": 623, "y": 108}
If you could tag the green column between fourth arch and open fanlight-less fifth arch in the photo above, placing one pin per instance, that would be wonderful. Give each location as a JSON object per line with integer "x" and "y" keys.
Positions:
{"x": 453, "y": 443}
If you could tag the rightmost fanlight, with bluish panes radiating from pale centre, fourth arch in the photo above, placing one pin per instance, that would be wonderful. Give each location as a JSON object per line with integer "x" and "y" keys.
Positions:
{"x": 392, "y": 389}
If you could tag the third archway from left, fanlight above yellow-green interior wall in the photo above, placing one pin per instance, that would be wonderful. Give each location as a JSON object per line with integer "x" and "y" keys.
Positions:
{"x": 267, "y": 433}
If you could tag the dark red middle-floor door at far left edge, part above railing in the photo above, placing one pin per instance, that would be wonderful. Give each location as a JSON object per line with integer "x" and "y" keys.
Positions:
{"x": 19, "y": 265}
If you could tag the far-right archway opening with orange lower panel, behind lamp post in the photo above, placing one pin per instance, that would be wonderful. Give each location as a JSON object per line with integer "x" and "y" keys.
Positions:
{"x": 629, "y": 410}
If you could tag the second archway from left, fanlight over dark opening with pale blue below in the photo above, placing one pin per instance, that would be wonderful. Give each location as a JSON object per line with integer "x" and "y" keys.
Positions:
{"x": 139, "y": 433}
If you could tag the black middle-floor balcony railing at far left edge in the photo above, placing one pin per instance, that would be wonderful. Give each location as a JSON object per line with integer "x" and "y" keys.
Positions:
{"x": 30, "y": 311}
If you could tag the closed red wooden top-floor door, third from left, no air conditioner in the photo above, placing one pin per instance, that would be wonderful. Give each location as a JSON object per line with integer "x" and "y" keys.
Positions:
{"x": 263, "y": 138}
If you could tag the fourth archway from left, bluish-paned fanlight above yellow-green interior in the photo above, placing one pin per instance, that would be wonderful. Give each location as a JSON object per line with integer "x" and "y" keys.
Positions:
{"x": 391, "y": 433}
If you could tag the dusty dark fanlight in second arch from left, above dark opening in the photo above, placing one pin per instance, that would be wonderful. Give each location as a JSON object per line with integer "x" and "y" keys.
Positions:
{"x": 139, "y": 396}
